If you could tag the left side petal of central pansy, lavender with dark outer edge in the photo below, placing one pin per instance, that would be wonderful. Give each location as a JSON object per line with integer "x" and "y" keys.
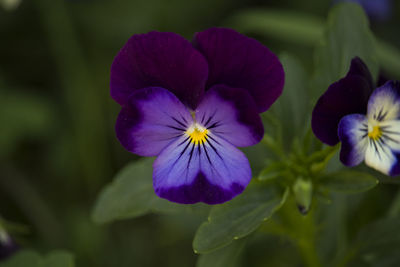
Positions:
{"x": 151, "y": 119}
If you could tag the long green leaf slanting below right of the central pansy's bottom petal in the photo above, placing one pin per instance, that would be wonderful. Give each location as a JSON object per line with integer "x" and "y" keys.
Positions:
{"x": 239, "y": 217}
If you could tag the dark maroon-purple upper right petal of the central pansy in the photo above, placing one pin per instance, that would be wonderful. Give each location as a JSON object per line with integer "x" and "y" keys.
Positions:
{"x": 241, "y": 62}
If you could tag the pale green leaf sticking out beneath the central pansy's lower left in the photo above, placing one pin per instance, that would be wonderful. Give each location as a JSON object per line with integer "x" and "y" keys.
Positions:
{"x": 130, "y": 195}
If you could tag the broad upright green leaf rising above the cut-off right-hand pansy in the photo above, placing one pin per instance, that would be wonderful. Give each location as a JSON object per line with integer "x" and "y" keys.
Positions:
{"x": 347, "y": 35}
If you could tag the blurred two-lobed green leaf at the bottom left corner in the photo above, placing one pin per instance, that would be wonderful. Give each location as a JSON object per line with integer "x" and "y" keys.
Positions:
{"x": 30, "y": 258}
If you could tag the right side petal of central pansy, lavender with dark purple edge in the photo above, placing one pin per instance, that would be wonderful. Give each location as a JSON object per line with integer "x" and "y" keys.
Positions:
{"x": 231, "y": 114}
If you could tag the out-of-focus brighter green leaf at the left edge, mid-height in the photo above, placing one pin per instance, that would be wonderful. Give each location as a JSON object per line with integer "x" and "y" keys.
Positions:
{"x": 22, "y": 115}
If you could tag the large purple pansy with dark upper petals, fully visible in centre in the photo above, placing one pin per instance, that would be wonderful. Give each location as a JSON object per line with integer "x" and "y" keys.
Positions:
{"x": 191, "y": 105}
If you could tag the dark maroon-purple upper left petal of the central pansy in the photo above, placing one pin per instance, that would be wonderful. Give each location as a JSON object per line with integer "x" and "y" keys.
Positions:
{"x": 159, "y": 59}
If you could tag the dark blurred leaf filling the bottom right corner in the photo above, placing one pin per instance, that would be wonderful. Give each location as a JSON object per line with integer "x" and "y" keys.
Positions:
{"x": 377, "y": 245}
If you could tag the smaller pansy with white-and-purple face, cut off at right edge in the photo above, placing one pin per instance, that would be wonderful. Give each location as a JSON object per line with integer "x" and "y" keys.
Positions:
{"x": 365, "y": 121}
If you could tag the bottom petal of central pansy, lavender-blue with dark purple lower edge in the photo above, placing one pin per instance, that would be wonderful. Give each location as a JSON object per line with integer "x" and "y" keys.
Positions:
{"x": 212, "y": 172}
